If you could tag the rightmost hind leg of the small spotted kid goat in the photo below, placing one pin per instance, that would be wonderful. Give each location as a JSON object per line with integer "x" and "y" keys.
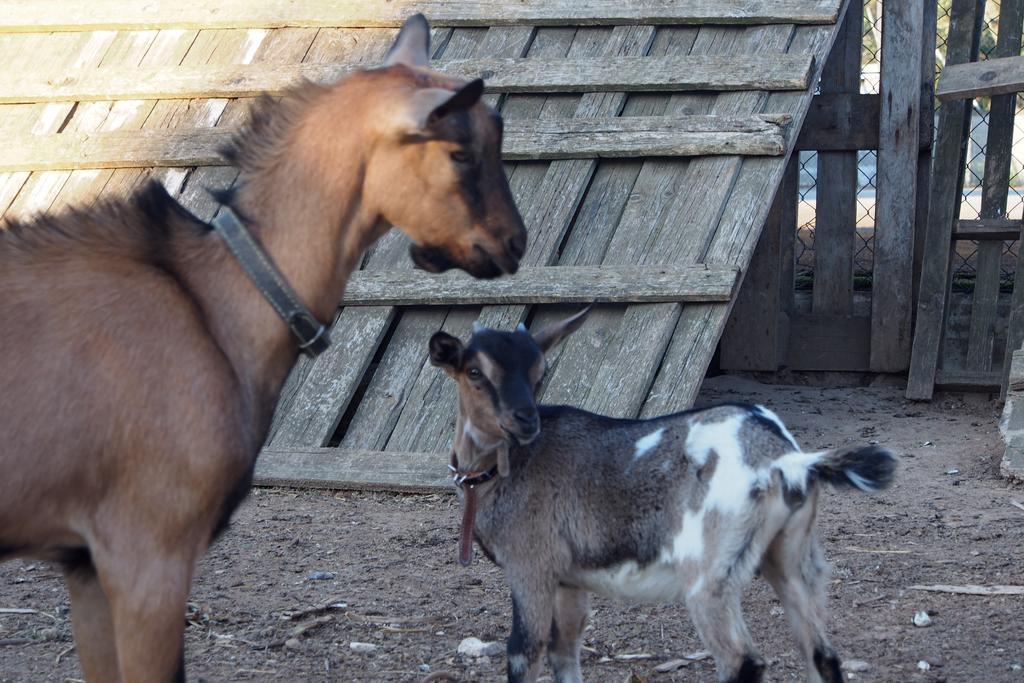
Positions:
{"x": 795, "y": 568}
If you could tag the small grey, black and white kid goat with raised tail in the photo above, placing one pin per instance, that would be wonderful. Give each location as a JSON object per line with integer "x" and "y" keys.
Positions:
{"x": 686, "y": 507}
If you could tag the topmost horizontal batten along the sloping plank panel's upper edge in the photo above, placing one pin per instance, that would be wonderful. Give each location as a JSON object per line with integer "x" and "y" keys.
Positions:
{"x": 17, "y": 16}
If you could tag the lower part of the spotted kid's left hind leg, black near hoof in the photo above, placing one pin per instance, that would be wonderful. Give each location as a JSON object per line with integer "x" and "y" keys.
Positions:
{"x": 716, "y": 612}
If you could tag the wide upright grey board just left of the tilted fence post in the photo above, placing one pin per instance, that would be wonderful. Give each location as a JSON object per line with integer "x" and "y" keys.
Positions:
{"x": 900, "y": 126}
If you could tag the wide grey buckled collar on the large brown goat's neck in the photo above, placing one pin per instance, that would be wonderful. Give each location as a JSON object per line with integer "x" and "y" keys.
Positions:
{"x": 311, "y": 333}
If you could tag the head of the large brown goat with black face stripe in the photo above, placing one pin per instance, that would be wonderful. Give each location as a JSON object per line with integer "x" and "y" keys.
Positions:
{"x": 436, "y": 169}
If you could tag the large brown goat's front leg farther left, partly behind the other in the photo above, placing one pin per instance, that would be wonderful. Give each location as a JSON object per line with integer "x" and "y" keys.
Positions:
{"x": 92, "y": 624}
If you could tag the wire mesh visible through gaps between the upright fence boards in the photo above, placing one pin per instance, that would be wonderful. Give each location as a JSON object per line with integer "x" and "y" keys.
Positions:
{"x": 965, "y": 261}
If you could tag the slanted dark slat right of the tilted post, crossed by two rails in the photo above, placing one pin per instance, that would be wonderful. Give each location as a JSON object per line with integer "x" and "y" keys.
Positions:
{"x": 996, "y": 187}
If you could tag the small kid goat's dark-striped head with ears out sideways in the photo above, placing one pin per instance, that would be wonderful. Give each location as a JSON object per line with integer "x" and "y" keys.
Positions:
{"x": 498, "y": 374}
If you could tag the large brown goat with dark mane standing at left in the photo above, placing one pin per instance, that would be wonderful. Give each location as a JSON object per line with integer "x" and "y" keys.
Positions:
{"x": 141, "y": 366}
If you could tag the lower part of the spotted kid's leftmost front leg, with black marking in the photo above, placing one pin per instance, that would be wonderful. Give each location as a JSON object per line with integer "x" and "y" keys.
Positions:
{"x": 532, "y": 615}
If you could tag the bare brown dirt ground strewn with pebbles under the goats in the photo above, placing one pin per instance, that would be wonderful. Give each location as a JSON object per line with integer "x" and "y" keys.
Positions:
{"x": 388, "y": 563}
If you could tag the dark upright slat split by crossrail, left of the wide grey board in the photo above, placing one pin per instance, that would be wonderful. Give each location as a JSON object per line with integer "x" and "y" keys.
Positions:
{"x": 836, "y": 218}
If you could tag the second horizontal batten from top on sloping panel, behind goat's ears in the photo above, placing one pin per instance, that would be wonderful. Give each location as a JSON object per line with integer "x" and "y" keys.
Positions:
{"x": 502, "y": 75}
